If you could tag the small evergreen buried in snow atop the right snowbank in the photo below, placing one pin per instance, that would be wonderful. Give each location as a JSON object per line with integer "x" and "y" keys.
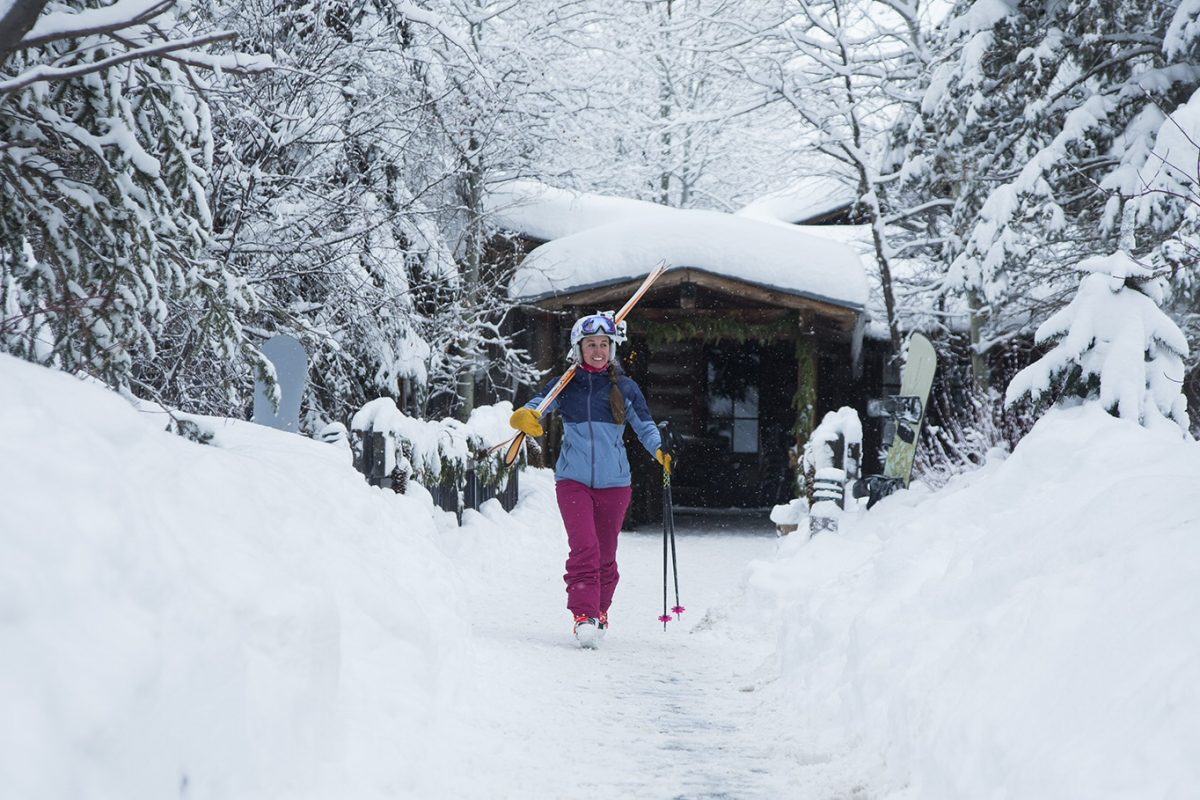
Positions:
{"x": 1112, "y": 345}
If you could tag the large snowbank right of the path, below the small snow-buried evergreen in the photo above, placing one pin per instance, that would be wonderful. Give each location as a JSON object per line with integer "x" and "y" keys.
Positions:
{"x": 1030, "y": 631}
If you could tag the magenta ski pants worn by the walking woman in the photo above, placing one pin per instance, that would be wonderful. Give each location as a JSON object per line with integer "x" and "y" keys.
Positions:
{"x": 593, "y": 520}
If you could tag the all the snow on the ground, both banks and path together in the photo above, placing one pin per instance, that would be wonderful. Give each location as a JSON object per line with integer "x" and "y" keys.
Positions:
{"x": 249, "y": 619}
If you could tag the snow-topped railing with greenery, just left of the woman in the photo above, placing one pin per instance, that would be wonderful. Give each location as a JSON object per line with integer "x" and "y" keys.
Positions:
{"x": 448, "y": 458}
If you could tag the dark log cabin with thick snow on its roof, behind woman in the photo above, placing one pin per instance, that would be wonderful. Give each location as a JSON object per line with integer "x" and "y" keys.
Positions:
{"x": 754, "y": 333}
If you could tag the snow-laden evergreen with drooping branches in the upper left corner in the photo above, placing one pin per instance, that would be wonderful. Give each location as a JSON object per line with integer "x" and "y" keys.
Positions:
{"x": 105, "y": 221}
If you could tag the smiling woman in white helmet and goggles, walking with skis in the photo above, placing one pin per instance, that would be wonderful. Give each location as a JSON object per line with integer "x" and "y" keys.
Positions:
{"x": 592, "y": 474}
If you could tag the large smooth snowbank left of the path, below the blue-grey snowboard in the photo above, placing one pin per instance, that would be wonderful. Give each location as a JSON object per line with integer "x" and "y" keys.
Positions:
{"x": 245, "y": 619}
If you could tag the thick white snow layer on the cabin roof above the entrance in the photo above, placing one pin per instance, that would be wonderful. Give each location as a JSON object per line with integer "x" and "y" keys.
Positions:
{"x": 593, "y": 242}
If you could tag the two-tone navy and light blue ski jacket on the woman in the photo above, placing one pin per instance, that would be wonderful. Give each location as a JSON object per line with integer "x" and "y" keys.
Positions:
{"x": 593, "y": 449}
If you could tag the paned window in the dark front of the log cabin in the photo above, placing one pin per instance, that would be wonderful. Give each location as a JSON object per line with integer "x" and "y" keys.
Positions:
{"x": 734, "y": 398}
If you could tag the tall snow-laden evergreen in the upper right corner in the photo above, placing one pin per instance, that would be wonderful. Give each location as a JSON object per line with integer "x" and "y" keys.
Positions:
{"x": 1039, "y": 119}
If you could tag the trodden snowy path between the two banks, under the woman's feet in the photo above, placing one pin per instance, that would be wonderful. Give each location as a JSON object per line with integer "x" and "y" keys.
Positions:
{"x": 652, "y": 714}
